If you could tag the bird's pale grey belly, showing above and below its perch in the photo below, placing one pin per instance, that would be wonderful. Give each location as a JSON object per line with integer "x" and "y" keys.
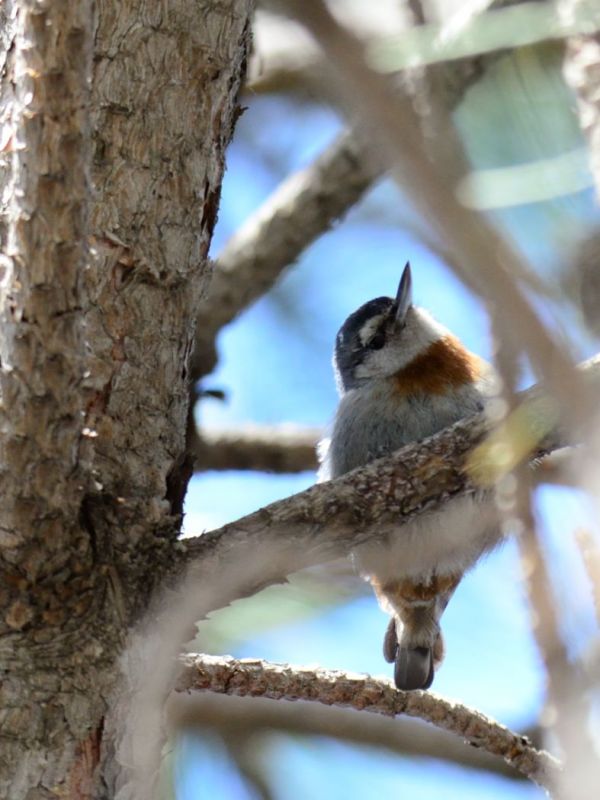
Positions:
{"x": 448, "y": 541}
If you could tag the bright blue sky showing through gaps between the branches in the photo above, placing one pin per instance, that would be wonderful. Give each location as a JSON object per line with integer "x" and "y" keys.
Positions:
{"x": 275, "y": 366}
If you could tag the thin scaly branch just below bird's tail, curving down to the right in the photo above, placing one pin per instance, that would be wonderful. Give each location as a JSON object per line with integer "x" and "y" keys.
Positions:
{"x": 259, "y": 678}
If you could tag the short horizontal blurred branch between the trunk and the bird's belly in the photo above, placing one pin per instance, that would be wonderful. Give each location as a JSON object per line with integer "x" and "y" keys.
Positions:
{"x": 266, "y": 448}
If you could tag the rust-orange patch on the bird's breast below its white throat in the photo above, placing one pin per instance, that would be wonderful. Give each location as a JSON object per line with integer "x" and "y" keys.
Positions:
{"x": 445, "y": 364}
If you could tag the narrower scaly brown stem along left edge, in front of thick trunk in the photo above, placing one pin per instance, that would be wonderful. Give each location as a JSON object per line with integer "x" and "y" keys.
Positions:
{"x": 49, "y": 585}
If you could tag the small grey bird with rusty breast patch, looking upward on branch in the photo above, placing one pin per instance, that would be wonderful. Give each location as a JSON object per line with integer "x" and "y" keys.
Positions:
{"x": 402, "y": 377}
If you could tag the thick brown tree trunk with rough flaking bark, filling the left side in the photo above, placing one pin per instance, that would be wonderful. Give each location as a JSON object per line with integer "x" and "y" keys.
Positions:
{"x": 97, "y": 306}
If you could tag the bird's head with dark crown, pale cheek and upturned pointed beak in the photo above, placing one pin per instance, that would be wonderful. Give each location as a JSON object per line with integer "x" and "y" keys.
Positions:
{"x": 383, "y": 336}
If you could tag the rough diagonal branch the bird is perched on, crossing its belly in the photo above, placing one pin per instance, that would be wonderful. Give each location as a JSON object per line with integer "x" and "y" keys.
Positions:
{"x": 332, "y": 518}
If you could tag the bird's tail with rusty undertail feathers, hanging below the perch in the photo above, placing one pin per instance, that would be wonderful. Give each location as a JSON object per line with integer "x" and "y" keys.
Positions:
{"x": 413, "y": 641}
